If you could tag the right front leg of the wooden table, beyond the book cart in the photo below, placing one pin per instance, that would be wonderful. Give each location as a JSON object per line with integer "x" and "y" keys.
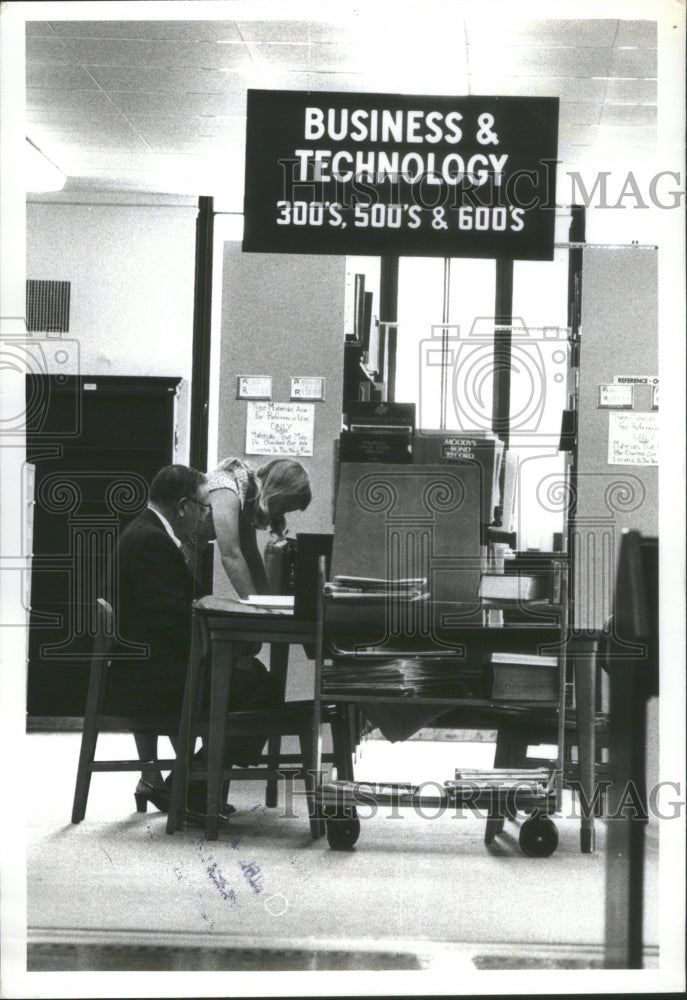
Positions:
{"x": 584, "y": 658}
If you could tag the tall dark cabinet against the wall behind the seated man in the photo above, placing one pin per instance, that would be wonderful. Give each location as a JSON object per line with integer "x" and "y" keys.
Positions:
{"x": 95, "y": 442}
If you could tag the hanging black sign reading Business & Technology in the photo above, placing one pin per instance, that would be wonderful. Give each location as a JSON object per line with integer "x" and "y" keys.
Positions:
{"x": 376, "y": 174}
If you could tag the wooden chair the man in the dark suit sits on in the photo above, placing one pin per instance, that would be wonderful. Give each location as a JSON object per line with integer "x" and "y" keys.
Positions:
{"x": 96, "y": 721}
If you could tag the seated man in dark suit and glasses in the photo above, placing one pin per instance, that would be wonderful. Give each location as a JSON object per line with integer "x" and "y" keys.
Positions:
{"x": 156, "y": 588}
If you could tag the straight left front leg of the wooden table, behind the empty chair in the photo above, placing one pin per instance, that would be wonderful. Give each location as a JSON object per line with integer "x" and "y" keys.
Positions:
{"x": 220, "y": 679}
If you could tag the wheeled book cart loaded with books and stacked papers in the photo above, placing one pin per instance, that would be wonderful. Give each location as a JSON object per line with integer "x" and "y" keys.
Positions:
{"x": 498, "y": 794}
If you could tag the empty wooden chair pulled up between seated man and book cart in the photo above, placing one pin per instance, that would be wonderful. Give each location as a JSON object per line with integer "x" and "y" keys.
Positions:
{"x": 289, "y": 719}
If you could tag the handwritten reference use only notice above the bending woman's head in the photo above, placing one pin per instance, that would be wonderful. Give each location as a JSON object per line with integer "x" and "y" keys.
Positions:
{"x": 280, "y": 428}
